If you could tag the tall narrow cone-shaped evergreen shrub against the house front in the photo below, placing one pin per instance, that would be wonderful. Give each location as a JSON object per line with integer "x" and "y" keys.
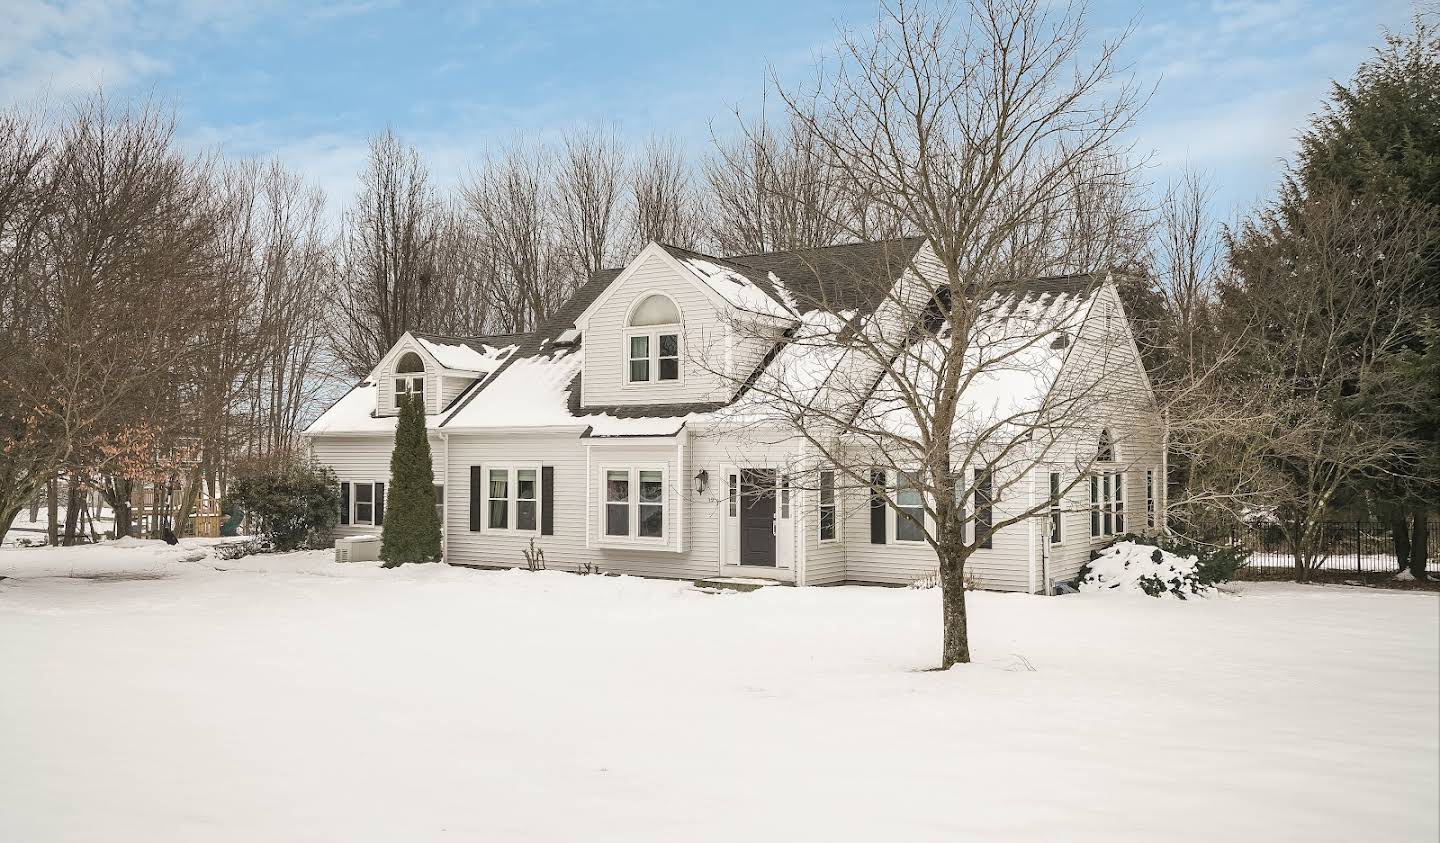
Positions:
{"x": 413, "y": 530}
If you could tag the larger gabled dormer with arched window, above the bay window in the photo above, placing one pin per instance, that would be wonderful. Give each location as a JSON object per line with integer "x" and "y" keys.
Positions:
{"x": 676, "y": 328}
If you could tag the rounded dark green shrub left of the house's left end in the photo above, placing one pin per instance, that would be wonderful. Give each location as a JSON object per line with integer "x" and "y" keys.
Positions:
{"x": 292, "y": 507}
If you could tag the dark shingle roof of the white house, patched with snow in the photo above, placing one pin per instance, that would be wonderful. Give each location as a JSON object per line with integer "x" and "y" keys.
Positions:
{"x": 534, "y": 381}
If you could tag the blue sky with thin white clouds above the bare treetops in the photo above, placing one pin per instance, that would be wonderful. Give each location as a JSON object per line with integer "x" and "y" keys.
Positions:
{"x": 310, "y": 81}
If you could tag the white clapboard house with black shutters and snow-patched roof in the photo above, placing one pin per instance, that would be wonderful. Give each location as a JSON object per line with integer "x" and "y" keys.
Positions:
{"x": 607, "y": 442}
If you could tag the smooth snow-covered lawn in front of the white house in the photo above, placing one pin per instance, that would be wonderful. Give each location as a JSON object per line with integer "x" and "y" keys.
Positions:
{"x": 297, "y": 700}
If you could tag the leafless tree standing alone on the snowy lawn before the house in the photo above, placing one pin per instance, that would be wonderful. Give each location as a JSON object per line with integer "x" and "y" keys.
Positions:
{"x": 974, "y": 126}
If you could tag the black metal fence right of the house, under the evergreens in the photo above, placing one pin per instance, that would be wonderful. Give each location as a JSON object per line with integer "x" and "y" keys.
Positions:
{"x": 1356, "y": 547}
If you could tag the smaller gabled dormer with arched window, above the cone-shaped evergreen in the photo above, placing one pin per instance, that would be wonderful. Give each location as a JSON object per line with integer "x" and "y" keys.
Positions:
{"x": 436, "y": 368}
